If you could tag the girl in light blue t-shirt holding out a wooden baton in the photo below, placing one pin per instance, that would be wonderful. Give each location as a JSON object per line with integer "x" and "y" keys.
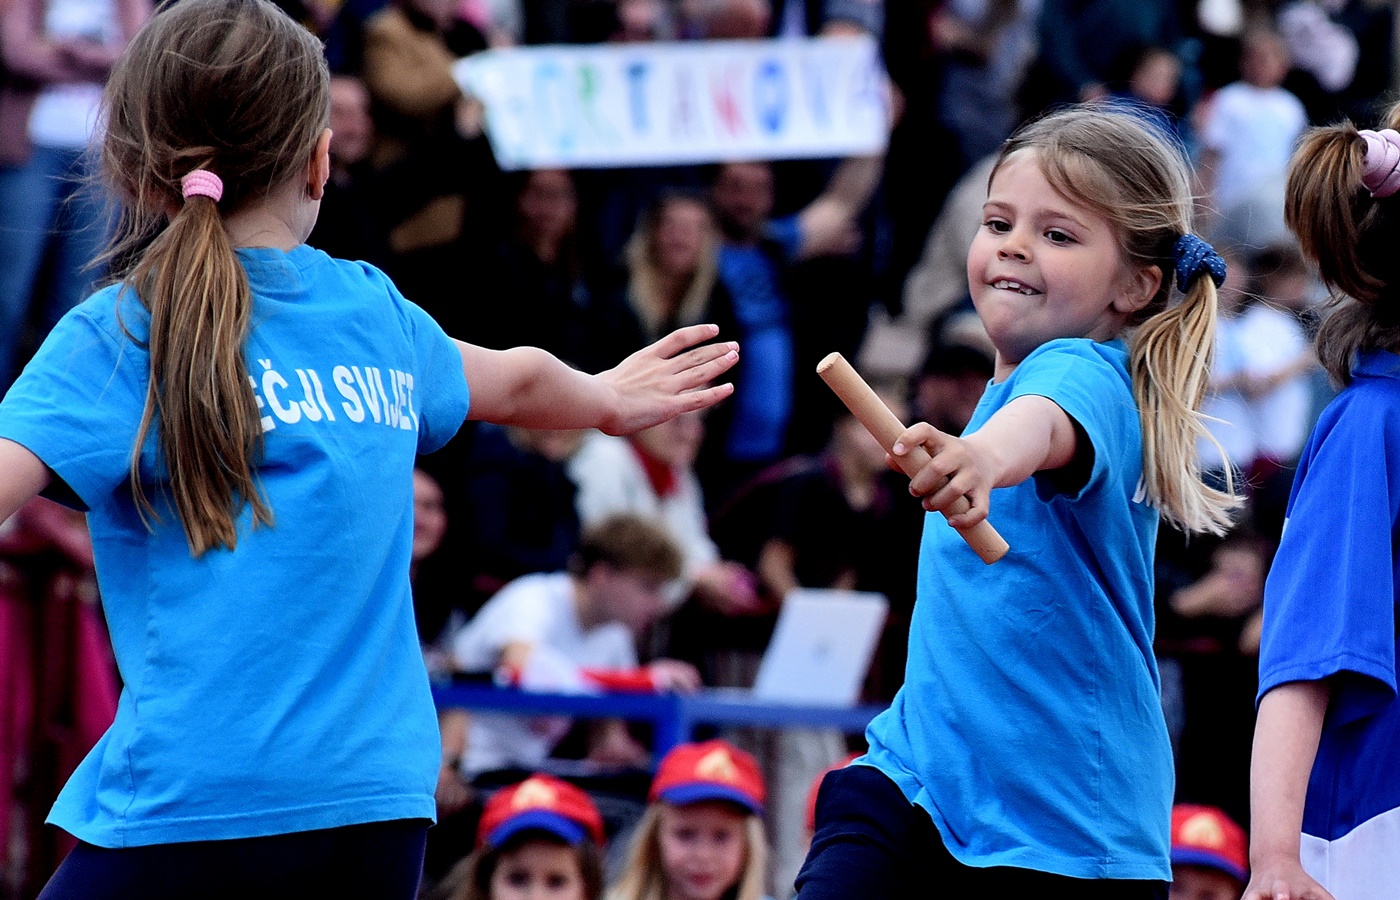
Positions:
{"x": 1027, "y": 752}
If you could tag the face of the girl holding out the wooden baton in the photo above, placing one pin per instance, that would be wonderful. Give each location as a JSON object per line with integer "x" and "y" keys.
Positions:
{"x": 1045, "y": 267}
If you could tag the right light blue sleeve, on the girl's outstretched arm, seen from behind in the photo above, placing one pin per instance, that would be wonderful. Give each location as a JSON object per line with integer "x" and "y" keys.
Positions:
{"x": 442, "y": 383}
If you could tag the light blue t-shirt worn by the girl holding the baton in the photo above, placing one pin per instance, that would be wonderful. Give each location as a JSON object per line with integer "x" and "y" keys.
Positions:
{"x": 1030, "y": 724}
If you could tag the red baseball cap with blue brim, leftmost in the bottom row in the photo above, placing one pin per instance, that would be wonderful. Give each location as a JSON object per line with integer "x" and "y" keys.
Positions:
{"x": 540, "y": 804}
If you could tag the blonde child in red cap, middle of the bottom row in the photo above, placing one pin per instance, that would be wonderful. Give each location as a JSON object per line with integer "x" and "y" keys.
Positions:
{"x": 702, "y": 838}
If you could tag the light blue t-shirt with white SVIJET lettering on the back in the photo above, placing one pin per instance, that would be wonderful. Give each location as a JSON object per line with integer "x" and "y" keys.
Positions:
{"x": 276, "y": 688}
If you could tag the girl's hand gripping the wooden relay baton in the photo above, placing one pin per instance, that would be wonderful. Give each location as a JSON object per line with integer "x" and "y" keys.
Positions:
{"x": 957, "y": 470}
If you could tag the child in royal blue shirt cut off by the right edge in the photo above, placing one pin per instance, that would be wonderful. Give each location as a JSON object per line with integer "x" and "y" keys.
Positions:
{"x": 1325, "y": 779}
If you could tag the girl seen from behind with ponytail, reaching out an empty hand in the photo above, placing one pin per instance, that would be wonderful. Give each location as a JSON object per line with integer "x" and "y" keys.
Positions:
{"x": 240, "y": 418}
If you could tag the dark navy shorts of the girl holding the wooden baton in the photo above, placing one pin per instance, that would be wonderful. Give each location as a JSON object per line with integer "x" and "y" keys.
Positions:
{"x": 871, "y": 843}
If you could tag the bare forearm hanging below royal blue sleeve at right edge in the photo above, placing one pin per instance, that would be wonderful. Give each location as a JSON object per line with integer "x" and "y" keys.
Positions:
{"x": 1286, "y": 745}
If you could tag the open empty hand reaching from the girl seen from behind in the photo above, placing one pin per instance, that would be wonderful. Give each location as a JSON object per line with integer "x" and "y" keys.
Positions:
{"x": 668, "y": 379}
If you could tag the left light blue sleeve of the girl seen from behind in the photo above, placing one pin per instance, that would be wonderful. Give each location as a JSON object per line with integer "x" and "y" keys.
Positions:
{"x": 78, "y": 407}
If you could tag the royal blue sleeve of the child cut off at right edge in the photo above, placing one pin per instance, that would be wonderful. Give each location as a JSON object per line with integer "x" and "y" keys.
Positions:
{"x": 1329, "y": 601}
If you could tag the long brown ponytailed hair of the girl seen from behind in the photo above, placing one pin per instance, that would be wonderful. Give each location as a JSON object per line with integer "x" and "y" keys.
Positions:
{"x": 239, "y": 89}
